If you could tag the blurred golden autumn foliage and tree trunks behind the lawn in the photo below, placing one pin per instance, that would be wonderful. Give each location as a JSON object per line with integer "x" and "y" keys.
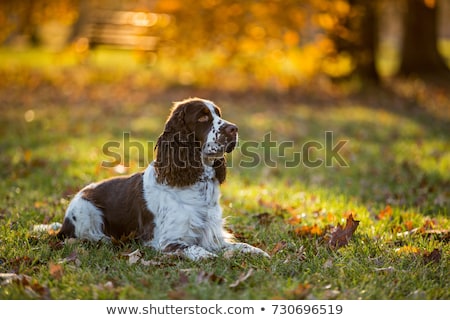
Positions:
{"x": 236, "y": 45}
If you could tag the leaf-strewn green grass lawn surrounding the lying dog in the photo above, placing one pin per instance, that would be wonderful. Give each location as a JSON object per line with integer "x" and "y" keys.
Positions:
{"x": 395, "y": 181}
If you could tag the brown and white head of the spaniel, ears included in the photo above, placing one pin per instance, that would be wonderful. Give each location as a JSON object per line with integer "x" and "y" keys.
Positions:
{"x": 195, "y": 135}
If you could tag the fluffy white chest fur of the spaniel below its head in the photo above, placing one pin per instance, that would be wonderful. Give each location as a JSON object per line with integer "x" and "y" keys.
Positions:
{"x": 188, "y": 215}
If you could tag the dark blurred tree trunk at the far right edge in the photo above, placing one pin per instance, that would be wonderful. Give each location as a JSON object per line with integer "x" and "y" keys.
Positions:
{"x": 419, "y": 54}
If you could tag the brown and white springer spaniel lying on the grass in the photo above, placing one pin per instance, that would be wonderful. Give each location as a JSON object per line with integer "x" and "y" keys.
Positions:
{"x": 172, "y": 206}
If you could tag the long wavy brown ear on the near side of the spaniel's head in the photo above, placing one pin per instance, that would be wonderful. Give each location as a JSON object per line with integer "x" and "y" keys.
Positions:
{"x": 178, "y": 157}
